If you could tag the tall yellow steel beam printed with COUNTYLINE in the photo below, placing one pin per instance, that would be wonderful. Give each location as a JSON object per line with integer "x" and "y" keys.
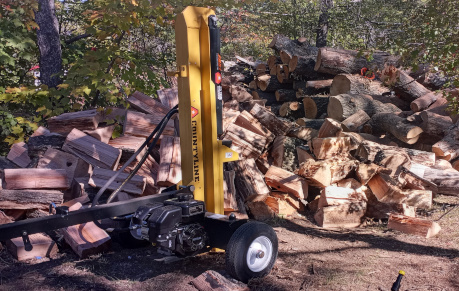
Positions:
{"x": 203, "y": 154}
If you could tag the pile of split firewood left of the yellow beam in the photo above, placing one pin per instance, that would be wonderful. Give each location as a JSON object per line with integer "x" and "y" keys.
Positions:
{"x": 68, "y": 162}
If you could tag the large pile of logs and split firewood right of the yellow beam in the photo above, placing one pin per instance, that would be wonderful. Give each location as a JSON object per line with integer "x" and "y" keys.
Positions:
{"x": 351, "y": 136}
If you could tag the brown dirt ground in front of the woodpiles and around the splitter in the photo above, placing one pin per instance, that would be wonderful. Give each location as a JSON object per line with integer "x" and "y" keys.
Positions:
{"x": 310, "y": 258}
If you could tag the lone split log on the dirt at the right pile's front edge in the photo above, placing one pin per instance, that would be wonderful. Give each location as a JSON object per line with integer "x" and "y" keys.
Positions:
{"x": 411, "y": 225}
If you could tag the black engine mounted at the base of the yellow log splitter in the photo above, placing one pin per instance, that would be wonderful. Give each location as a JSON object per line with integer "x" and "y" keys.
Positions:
{"x": 174, "y": 226}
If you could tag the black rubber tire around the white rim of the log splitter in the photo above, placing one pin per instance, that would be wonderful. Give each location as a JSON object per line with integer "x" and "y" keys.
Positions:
{"x": 238, "y": 246}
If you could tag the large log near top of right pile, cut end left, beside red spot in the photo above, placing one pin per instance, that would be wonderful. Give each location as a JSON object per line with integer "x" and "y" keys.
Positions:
{"x": 338, "y": 61}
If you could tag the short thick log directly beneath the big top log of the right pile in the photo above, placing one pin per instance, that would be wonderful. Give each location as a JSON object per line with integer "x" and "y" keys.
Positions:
{"x": 356, "y": 84}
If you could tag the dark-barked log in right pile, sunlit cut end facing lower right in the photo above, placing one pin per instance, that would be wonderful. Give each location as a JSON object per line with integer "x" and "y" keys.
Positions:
{"x": 397, "y": 126}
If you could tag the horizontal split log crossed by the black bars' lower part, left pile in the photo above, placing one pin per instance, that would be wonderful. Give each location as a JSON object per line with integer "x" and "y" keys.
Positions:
{"x": 100, "y": 176}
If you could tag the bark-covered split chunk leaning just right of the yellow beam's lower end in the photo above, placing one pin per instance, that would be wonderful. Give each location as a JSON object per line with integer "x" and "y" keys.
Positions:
{"x": 249, "y": 180}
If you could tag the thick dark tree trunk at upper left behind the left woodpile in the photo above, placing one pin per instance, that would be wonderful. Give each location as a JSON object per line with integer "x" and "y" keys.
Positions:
{"x": 48, "y": 43}
